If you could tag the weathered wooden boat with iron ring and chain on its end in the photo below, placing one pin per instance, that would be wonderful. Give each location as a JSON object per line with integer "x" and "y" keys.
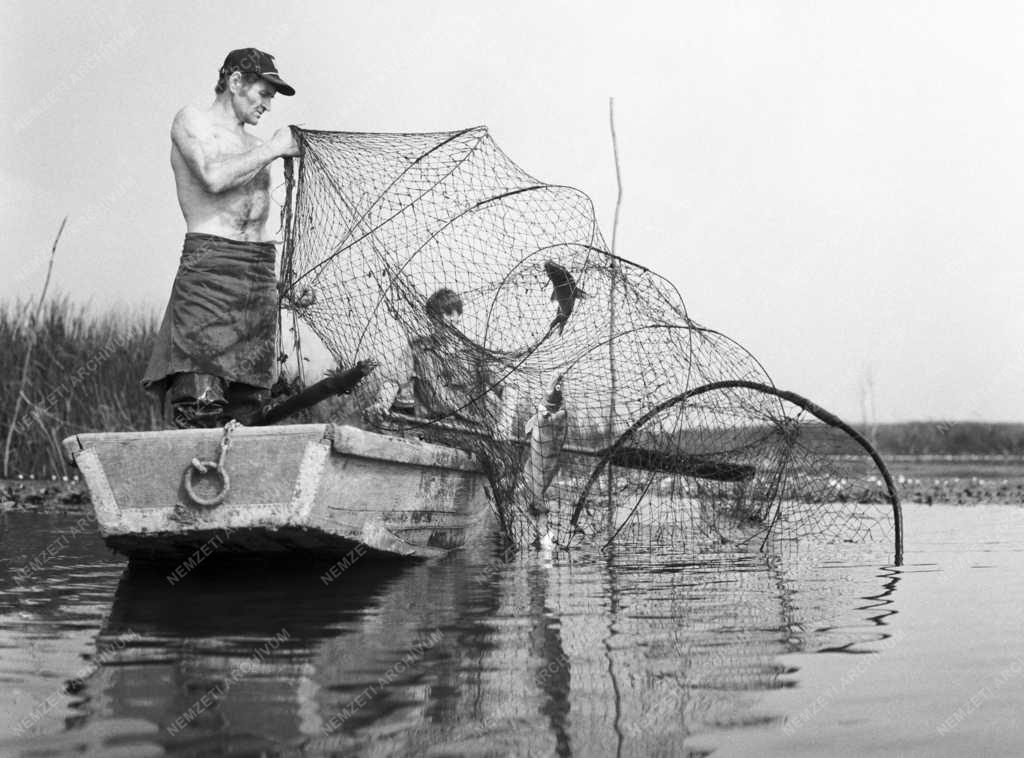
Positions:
{"x": 314, "y": 488}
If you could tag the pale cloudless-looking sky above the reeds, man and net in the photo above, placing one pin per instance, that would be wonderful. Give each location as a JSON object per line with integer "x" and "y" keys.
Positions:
{"x": 834, "y": 185}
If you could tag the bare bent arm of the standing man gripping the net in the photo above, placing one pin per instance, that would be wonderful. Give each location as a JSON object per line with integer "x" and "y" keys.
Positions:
{"x": 220, "y": 174}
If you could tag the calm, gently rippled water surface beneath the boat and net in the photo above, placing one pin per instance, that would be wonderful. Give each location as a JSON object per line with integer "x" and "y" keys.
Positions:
{"x": 821, "y": 652}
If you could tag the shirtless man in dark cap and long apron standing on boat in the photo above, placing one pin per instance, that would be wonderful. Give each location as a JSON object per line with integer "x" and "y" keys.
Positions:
{"x": 215, "y": 357}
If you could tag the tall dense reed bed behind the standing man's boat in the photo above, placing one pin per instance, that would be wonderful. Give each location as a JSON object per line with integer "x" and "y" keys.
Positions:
{"x": 83, "y": 376}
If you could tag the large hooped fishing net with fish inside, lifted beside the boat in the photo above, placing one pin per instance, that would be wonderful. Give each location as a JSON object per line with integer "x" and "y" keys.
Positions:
{"x": 502, "y": 324}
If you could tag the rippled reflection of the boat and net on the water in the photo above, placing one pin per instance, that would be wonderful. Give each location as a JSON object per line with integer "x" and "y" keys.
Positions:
{"x": 628, "y": 653}
